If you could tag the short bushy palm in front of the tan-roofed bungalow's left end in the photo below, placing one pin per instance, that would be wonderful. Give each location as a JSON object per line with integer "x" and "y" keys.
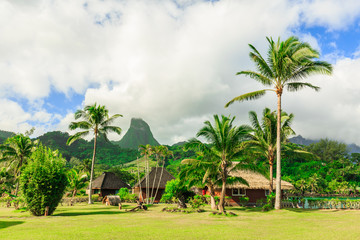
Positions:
{"x": 225, "y": 144}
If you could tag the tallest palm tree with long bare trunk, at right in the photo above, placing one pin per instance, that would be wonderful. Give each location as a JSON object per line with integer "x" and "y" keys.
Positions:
{"x": 288, "y": 62}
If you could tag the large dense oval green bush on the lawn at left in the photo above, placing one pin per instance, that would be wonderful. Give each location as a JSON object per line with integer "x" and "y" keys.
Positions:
{"x": 43, "y": 181}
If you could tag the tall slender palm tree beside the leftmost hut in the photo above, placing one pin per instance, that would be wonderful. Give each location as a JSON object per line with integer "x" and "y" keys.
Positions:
{"x": 94, "y": 119}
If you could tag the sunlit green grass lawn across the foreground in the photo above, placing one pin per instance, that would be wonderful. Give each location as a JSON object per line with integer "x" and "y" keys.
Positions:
{"x": 106, "y": 222}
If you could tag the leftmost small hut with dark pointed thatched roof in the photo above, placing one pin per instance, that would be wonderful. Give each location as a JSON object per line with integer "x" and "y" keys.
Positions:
{"x": 108, "y": 184}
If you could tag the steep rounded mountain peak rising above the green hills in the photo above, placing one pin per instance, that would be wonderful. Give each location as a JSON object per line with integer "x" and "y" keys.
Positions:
{"x": 139, "y": 133}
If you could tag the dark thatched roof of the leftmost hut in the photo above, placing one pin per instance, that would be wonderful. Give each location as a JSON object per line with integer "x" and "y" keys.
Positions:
{"x": 109, "y": 180}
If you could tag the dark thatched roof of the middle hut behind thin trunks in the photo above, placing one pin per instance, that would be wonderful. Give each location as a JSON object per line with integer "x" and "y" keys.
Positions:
{"x": 156, "y": 171}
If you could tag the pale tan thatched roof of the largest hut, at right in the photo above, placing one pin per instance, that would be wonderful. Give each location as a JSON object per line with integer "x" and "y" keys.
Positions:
{"x": 256, "y": 181}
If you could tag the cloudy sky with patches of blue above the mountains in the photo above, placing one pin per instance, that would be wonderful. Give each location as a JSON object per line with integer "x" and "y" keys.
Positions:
{"x": 172, "y": 63}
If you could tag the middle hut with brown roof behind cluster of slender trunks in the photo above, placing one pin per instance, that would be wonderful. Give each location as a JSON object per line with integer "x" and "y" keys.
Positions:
{"x": 158, "y": 177}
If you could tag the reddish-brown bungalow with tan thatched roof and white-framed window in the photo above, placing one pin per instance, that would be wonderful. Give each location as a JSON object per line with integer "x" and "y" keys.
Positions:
{"x": 258, "y": 188}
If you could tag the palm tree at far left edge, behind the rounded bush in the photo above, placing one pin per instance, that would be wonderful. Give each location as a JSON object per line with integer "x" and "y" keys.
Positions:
{"x": 17, "y": 150}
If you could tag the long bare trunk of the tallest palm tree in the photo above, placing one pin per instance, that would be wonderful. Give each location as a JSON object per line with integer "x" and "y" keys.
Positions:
{"x": 278, "y": 155}
